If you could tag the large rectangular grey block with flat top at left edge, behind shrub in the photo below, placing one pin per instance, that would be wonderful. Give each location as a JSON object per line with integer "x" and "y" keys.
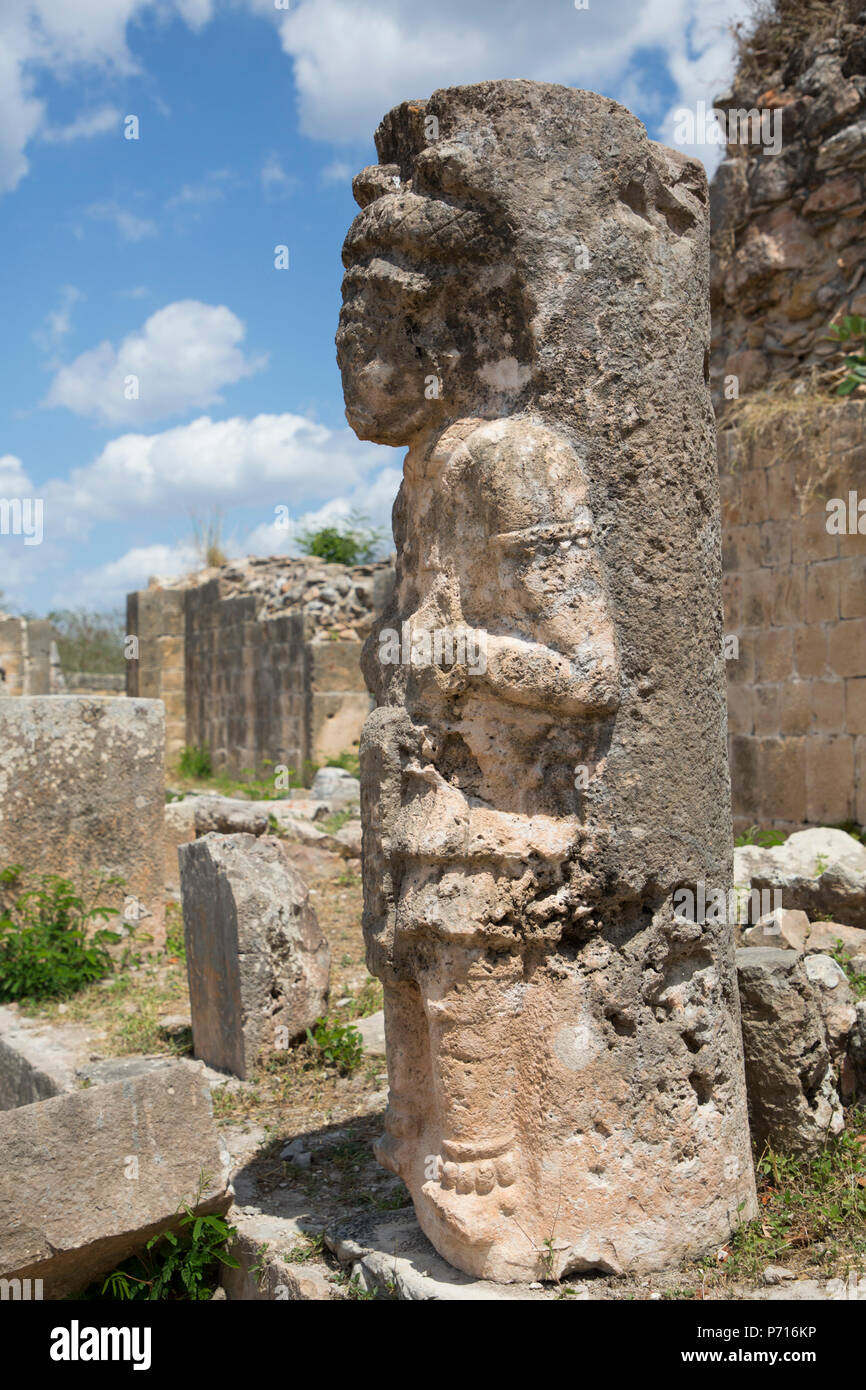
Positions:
{"x": 83, "y": 794}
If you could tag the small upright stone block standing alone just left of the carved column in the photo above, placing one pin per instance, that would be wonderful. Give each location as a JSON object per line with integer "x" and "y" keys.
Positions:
{"x": 256, "y": 958}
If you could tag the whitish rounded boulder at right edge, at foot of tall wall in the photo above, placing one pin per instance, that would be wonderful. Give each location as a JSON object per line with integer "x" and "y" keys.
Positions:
{"x": 821, "y": 872}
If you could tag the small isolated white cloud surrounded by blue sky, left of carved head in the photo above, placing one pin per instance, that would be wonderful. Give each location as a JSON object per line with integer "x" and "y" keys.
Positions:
{"x": 183, "y": 358}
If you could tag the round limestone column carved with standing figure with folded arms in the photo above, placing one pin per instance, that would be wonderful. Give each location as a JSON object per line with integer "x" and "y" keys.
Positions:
{"x": 526, "y": 306}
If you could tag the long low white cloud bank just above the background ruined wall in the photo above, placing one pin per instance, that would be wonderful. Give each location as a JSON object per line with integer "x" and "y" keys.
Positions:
{"x": 265, "y": 462}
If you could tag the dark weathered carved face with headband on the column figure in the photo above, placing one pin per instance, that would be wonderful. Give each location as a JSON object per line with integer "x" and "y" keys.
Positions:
{"x": 433, "y": 325}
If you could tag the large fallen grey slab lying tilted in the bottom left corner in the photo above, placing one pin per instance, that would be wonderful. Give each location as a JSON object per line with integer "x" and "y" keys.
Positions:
{"x": 87, "y": 1179}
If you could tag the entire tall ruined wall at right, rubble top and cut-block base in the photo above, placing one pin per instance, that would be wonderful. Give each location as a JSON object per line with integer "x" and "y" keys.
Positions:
{"x": 790, "y": 258}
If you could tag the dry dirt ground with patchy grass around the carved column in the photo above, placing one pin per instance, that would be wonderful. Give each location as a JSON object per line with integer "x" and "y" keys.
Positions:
{"x": 814, "y": 1218}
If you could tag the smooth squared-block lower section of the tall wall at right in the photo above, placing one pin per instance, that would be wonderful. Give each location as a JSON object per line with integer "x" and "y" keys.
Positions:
{"x": 796, "y": 600}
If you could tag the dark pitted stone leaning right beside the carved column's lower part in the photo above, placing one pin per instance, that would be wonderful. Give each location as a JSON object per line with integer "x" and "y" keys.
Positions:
{"x": 792, "y": 1089}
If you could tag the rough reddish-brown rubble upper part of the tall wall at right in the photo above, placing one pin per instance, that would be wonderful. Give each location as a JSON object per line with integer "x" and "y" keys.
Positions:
{"x": 789, "y": 226}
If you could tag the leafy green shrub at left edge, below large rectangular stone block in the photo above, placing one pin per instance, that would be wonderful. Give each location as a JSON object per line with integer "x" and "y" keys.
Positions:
{"x": 47, "y": 947}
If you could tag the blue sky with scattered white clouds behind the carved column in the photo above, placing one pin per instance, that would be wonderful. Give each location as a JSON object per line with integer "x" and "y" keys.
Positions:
{"x": 154, "y": 258}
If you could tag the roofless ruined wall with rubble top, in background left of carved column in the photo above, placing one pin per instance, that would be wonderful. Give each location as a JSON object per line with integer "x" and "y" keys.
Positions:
{"x": 261, "y": 660}
